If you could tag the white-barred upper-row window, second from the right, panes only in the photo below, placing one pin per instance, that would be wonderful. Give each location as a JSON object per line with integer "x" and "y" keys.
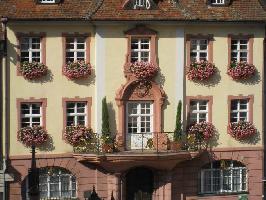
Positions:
{"x": 198, "y": 50}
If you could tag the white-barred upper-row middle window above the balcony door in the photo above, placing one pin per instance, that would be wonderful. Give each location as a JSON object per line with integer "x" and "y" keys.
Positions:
{"x": 140, "y": 49}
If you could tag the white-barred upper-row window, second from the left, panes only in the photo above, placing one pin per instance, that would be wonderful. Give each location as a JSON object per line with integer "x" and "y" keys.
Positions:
{"x": 75, "y": 49}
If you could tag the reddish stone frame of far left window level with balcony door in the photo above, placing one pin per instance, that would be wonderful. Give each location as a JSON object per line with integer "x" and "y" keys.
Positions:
{"x": 42, "y": 101}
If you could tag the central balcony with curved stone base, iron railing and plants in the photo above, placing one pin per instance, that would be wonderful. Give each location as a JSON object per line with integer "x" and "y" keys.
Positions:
{"x": 155, "y": 150}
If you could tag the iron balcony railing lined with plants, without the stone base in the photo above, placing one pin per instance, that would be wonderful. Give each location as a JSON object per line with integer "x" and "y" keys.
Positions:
{"x": 155, "y": 142}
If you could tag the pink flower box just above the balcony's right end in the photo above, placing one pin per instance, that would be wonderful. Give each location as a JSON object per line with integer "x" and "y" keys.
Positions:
{"x": 202, "y": 130}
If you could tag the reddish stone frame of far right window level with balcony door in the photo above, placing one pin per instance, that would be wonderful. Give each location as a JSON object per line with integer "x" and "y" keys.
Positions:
{"x": 250, "y": 99}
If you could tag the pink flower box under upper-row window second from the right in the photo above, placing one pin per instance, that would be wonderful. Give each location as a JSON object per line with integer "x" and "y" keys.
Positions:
{"x": 202, "y": 70}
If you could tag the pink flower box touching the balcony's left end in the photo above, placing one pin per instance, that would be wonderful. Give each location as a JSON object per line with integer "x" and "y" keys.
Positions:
{"x": 81, "y": 138}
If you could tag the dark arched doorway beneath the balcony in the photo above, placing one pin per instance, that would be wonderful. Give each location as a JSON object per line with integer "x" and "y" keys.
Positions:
{"x": 139, "y": 184}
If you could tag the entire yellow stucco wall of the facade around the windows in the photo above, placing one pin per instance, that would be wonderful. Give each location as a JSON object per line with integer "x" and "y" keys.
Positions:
{"x": 115, "y": 44}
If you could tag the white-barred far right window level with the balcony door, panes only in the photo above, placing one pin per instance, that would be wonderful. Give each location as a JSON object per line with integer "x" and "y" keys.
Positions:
{"x": 239, "y": 110}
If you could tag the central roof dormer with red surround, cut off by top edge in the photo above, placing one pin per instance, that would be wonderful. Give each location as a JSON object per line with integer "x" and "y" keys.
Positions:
{"x": 139, "y": 5}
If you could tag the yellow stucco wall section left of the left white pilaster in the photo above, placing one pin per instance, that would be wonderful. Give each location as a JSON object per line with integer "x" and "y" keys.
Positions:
{"x": 54, "y": 90}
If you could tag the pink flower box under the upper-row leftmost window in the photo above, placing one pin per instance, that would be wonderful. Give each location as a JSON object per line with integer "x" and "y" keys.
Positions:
{"x": 33, "y": 70}
